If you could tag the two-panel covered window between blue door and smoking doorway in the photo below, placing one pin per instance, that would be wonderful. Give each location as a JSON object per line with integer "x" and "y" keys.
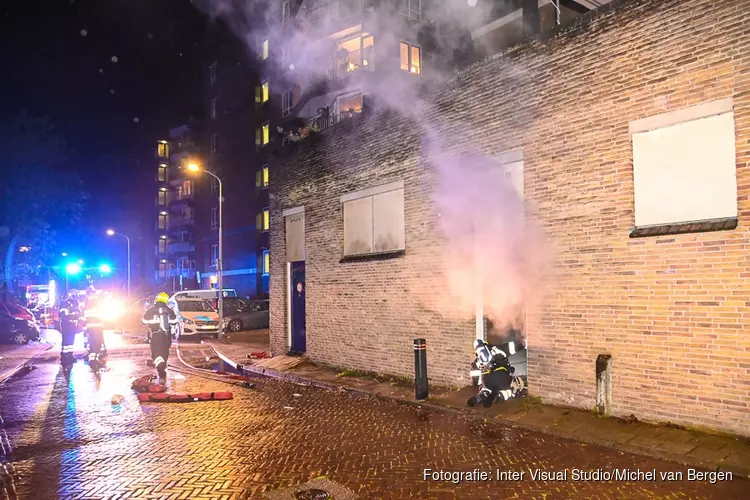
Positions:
{"x": 374, "y": 220}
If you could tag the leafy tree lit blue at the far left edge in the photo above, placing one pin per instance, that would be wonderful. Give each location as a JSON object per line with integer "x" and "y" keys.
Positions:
{"x": 38, "y": 198}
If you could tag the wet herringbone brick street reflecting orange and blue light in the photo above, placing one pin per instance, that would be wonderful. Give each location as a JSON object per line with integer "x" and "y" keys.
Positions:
{"x": 71, "y": 441}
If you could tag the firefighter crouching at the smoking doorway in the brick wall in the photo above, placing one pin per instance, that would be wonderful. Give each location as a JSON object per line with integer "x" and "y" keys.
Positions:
{"x": 492, "y": 371}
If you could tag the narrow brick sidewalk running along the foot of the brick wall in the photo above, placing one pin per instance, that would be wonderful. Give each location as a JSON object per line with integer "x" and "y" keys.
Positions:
{"x": 685, "y": 446}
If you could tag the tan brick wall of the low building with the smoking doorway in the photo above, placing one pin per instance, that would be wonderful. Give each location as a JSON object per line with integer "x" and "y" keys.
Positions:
{"x": 672, "y": 311}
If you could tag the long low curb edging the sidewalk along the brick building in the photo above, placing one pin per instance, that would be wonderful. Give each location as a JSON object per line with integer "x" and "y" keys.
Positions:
{"x": 622, "y": 447}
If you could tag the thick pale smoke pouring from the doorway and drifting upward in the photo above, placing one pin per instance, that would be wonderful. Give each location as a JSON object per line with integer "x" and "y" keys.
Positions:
{"x": 494, "y": 254}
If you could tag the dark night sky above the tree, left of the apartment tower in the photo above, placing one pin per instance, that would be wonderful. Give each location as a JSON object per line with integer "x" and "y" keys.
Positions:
{"x": 113, "y": 75}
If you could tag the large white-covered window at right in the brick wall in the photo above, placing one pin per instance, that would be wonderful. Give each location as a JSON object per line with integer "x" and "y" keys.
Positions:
{"x": 685, "y": 170}
